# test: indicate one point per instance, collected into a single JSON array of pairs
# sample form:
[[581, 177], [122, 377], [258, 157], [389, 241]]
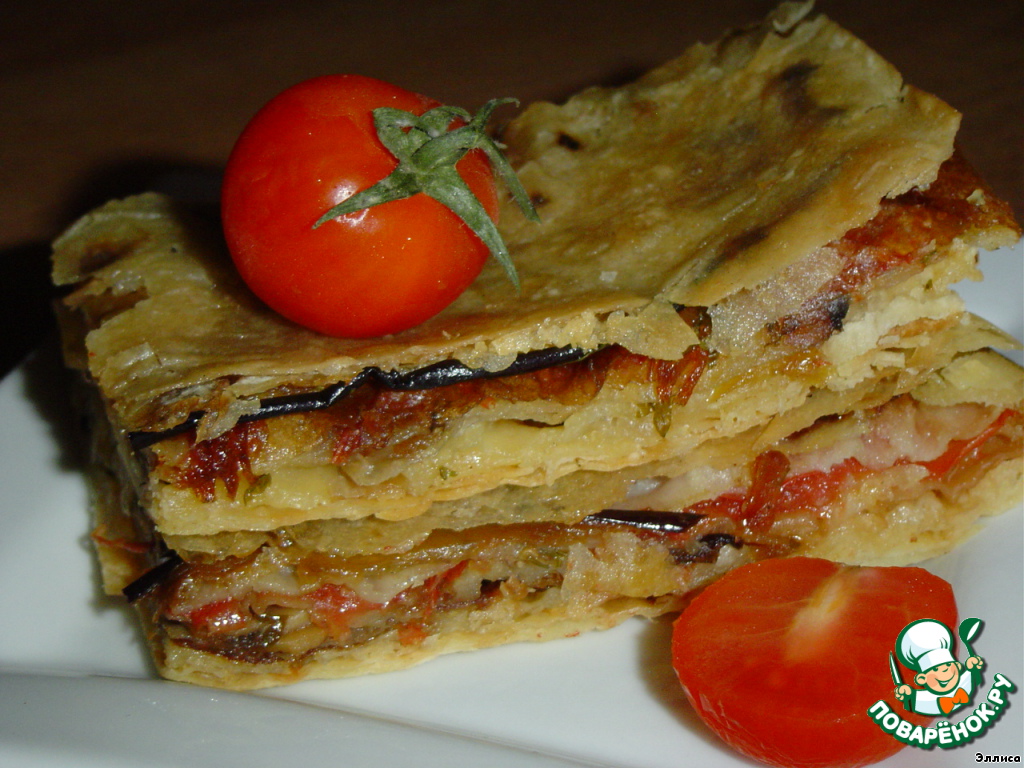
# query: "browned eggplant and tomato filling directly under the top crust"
[[388, 416]]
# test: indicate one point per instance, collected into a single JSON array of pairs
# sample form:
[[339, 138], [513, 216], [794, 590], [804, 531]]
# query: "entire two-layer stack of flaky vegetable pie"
[[743, 273]]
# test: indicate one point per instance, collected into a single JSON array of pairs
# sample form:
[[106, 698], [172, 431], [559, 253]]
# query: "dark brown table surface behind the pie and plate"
[[108, 98]]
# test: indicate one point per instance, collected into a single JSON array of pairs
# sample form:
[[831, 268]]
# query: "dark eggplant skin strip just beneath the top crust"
[[430, 377]]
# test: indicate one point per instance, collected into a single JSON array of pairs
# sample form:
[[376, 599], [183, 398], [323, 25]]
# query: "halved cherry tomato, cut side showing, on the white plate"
[[783, 659]]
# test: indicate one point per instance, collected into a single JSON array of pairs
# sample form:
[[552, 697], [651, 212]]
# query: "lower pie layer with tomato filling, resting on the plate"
[[889, 484]]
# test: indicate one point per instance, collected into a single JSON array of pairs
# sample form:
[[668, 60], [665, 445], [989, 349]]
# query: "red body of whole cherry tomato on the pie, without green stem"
[[368, 274]]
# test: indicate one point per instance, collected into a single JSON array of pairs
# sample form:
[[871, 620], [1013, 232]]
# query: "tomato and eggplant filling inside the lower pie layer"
[[286, 604]]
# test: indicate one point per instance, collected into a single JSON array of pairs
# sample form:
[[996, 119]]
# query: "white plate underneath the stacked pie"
[[76, 687]]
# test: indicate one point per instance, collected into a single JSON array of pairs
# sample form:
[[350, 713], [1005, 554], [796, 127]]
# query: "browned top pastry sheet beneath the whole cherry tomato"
[[701, 180]]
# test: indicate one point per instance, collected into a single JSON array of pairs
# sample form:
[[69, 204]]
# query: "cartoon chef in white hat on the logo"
[[927, 646]]
